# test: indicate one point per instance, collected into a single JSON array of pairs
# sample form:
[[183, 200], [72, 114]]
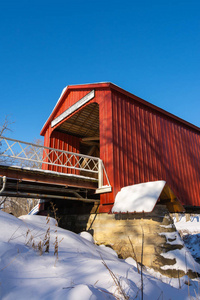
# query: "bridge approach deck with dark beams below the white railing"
[[35, 183]]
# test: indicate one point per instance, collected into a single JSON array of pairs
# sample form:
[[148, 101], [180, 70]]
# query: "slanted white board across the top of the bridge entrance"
[[73, 108]]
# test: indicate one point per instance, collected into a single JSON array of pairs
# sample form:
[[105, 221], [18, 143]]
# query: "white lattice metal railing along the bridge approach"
[[37, 156]]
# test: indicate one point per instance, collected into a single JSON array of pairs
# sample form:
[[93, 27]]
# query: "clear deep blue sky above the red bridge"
[[150, 48]]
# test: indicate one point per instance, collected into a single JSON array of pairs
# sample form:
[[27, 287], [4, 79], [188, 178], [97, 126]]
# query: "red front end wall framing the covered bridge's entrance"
[[51, 137]]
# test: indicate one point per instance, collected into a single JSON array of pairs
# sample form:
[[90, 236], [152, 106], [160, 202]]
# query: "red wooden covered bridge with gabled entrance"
[[137, 141]]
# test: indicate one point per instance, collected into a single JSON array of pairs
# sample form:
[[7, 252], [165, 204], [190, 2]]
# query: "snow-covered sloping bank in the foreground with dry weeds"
[[78, 270]]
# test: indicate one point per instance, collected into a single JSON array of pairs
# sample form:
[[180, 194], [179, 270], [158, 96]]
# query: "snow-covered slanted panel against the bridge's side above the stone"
[[138, 198]]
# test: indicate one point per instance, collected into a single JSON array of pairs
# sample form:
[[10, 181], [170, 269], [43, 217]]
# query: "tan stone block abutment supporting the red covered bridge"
[[141, 236]]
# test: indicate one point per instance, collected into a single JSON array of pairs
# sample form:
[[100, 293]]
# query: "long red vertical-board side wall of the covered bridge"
[[149, 146]]
